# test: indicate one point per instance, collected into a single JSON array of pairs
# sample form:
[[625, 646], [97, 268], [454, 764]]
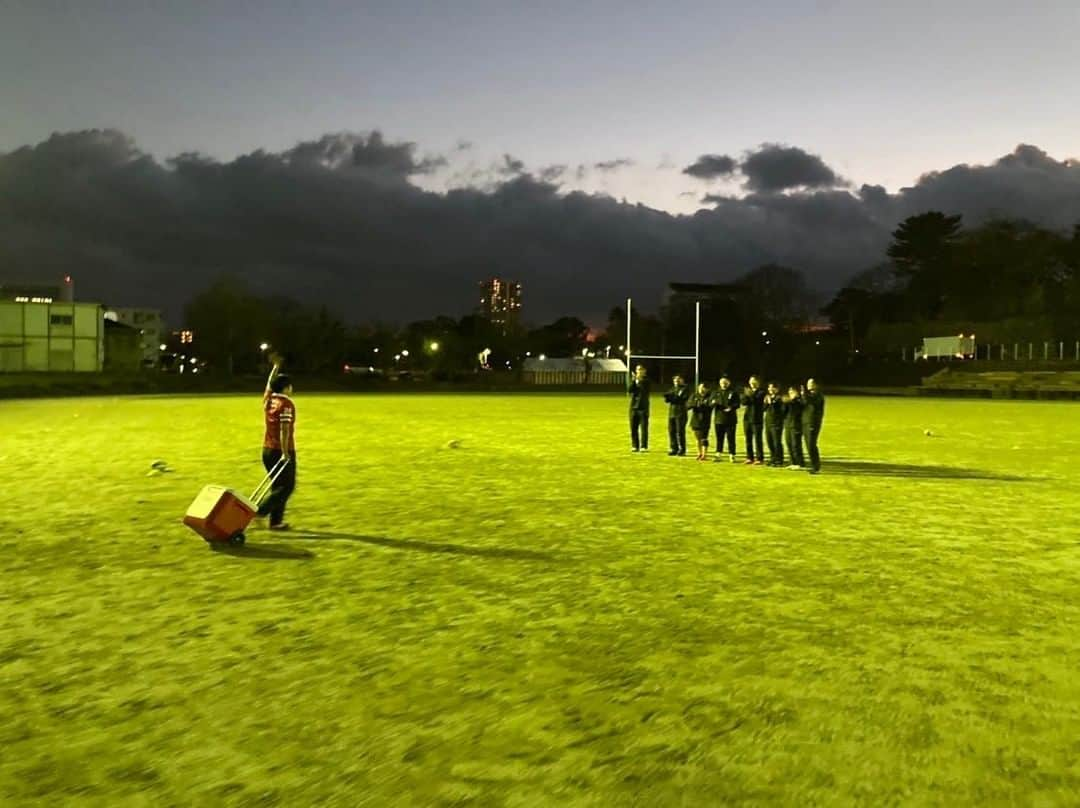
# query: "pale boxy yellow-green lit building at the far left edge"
[[50, 336]]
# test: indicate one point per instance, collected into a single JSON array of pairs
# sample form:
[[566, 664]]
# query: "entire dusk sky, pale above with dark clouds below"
[[384, 158]]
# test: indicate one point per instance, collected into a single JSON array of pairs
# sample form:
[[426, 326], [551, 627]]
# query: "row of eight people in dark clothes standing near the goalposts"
[[781, 421]]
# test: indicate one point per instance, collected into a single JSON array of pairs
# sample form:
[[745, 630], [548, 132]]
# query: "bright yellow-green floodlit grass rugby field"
[[539, 617]]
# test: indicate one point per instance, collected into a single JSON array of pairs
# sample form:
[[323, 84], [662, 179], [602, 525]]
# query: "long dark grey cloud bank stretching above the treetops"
[[340, 220]]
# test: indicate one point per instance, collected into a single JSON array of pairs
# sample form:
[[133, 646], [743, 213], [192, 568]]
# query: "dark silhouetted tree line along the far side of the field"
[[936, 274]]
